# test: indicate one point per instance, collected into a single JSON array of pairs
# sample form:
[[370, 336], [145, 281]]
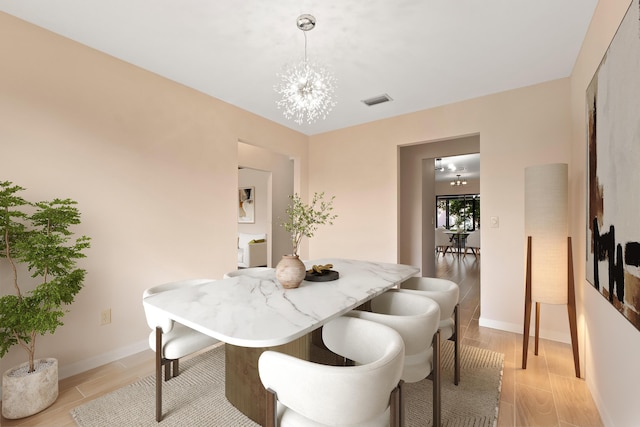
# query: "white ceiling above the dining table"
[[422, 53]]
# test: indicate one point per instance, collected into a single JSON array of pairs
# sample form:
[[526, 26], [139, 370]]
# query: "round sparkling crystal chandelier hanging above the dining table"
[[306, 88]]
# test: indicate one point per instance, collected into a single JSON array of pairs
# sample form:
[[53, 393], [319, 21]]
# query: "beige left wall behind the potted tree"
[[152, 164]]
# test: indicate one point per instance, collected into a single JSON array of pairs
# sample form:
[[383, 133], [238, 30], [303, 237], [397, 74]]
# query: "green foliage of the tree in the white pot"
[[37, 235]]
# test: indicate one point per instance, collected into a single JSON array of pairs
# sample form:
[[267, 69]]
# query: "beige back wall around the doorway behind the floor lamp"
[[518, 128]]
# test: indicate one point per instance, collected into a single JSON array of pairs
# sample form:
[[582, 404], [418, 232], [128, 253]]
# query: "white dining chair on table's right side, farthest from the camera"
[[447, 294]]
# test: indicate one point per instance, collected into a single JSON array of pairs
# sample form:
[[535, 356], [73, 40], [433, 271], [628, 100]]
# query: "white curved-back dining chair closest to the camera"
[[303, 393]]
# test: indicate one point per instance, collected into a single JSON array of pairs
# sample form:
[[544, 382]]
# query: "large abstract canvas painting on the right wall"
[[613, 194]]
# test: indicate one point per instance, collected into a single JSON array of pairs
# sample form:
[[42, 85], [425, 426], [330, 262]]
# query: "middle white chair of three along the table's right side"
[[416, 319]]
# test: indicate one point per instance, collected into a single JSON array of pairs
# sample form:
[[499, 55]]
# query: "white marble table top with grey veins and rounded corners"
[[256, 311]]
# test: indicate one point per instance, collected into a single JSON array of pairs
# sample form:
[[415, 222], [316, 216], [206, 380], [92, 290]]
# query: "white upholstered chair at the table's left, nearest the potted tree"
[[177, 340]]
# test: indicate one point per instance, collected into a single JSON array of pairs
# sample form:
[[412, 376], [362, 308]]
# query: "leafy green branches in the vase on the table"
[[304, 219]]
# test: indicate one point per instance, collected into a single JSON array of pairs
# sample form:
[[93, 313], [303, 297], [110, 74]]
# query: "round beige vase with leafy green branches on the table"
[[303, 220]]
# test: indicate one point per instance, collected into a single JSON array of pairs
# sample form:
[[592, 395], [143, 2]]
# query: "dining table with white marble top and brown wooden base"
[[253, 312]]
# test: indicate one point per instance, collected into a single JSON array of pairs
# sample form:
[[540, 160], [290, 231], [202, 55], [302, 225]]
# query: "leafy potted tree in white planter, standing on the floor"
[[35, 241]]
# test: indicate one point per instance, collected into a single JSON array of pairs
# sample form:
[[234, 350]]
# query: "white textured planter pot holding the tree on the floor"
[[25, 394]]
